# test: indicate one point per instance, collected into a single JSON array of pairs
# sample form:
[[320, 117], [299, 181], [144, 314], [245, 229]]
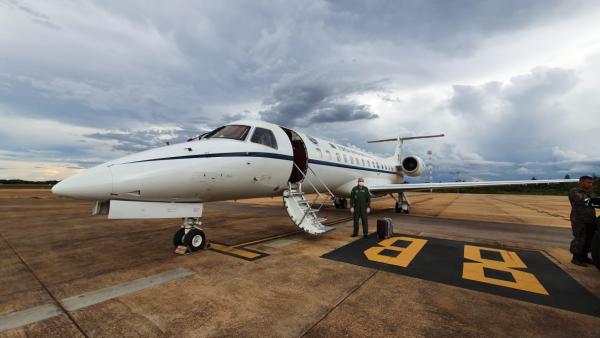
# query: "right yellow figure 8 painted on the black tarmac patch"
[[510, 261]]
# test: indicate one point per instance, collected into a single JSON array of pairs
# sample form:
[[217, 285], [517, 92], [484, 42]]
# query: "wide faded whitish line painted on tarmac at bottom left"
[[38, 313]]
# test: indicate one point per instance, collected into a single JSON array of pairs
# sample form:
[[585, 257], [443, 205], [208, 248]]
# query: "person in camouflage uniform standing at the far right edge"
[[583, 220]]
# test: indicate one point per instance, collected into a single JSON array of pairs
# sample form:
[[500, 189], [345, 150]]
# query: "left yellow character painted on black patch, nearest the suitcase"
[[405, 255]]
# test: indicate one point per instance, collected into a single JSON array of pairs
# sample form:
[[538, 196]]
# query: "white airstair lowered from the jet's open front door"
[[301, 210]]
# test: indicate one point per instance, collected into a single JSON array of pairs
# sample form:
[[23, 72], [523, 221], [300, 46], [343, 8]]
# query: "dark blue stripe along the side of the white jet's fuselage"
[[265, 155]]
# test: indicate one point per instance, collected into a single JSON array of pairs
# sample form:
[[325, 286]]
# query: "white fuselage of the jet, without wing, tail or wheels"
[[244, 159]]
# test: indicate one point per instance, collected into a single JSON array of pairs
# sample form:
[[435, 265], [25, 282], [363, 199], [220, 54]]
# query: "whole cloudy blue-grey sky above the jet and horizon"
[[515, 85]]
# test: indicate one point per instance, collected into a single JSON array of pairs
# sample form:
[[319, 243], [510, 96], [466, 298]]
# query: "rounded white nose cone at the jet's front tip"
[[94, 183]]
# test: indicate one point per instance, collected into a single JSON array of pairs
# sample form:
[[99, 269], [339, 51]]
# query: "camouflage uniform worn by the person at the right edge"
[[583, 221]]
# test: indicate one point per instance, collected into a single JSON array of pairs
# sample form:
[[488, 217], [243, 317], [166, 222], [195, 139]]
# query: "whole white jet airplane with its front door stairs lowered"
[[247, 159]]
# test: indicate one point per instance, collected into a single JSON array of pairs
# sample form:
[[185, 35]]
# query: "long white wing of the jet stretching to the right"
[[389, 188]]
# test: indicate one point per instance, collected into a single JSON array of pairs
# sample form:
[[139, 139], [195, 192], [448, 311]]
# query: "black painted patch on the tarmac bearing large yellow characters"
[[520, 274]]
